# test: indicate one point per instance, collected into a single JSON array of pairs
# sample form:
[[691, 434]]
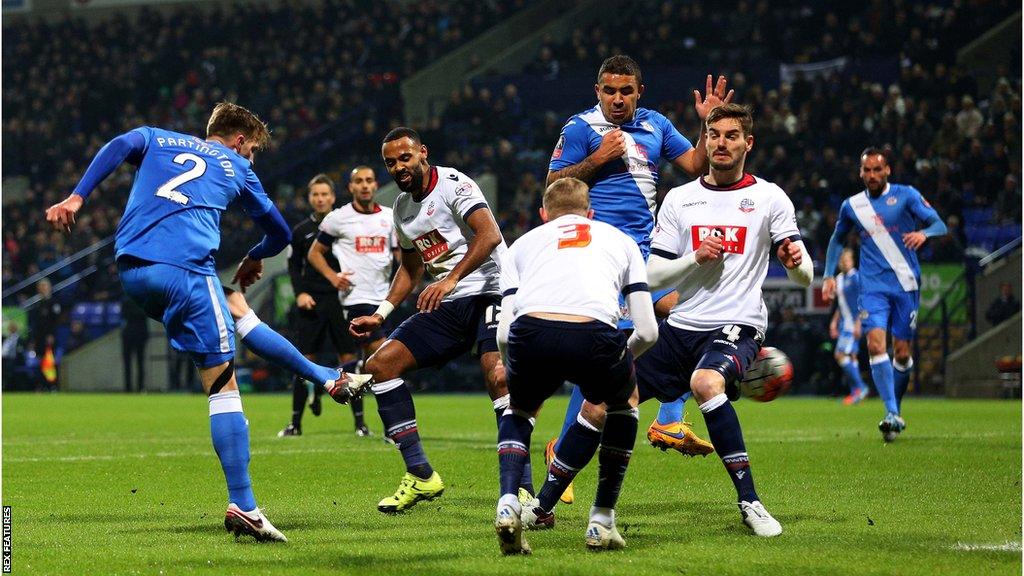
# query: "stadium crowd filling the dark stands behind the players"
[[960, 145]]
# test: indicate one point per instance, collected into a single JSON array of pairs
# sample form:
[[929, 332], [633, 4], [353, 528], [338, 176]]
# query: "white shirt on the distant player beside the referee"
[[363, 244]]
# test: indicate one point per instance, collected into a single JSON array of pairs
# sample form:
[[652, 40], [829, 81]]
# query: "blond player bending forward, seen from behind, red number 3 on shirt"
[[561, 284]]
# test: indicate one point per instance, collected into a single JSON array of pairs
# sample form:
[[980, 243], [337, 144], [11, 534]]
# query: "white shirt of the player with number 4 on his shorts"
[[751, 217]]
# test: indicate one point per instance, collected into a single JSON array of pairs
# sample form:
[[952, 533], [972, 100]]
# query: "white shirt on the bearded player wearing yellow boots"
[[437, 229]]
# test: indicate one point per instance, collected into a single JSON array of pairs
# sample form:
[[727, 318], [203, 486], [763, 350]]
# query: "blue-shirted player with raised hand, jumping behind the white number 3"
[[616, 148]]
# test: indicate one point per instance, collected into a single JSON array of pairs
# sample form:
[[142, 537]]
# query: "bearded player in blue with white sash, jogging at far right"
[[887, 217]]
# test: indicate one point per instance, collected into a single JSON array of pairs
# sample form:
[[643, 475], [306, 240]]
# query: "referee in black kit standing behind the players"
[[318, 310]]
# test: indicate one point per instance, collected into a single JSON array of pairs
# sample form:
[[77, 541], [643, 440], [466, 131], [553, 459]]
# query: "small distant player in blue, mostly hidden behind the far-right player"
[[845, 327]]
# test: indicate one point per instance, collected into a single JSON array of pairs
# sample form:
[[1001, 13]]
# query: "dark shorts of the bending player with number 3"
[[543, 354]]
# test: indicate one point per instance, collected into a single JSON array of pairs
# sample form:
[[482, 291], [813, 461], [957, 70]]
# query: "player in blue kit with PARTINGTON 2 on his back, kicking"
[[165, 248]]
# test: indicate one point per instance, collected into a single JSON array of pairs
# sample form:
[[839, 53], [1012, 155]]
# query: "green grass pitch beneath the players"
[[131, 485]]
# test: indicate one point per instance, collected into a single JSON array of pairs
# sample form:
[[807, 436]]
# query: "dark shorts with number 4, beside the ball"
[[664, 372]]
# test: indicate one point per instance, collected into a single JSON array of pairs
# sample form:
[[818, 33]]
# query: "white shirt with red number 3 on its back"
[[573, 266]]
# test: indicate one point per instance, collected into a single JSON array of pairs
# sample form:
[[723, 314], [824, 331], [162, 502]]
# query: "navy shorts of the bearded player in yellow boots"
[[452, 331]]
